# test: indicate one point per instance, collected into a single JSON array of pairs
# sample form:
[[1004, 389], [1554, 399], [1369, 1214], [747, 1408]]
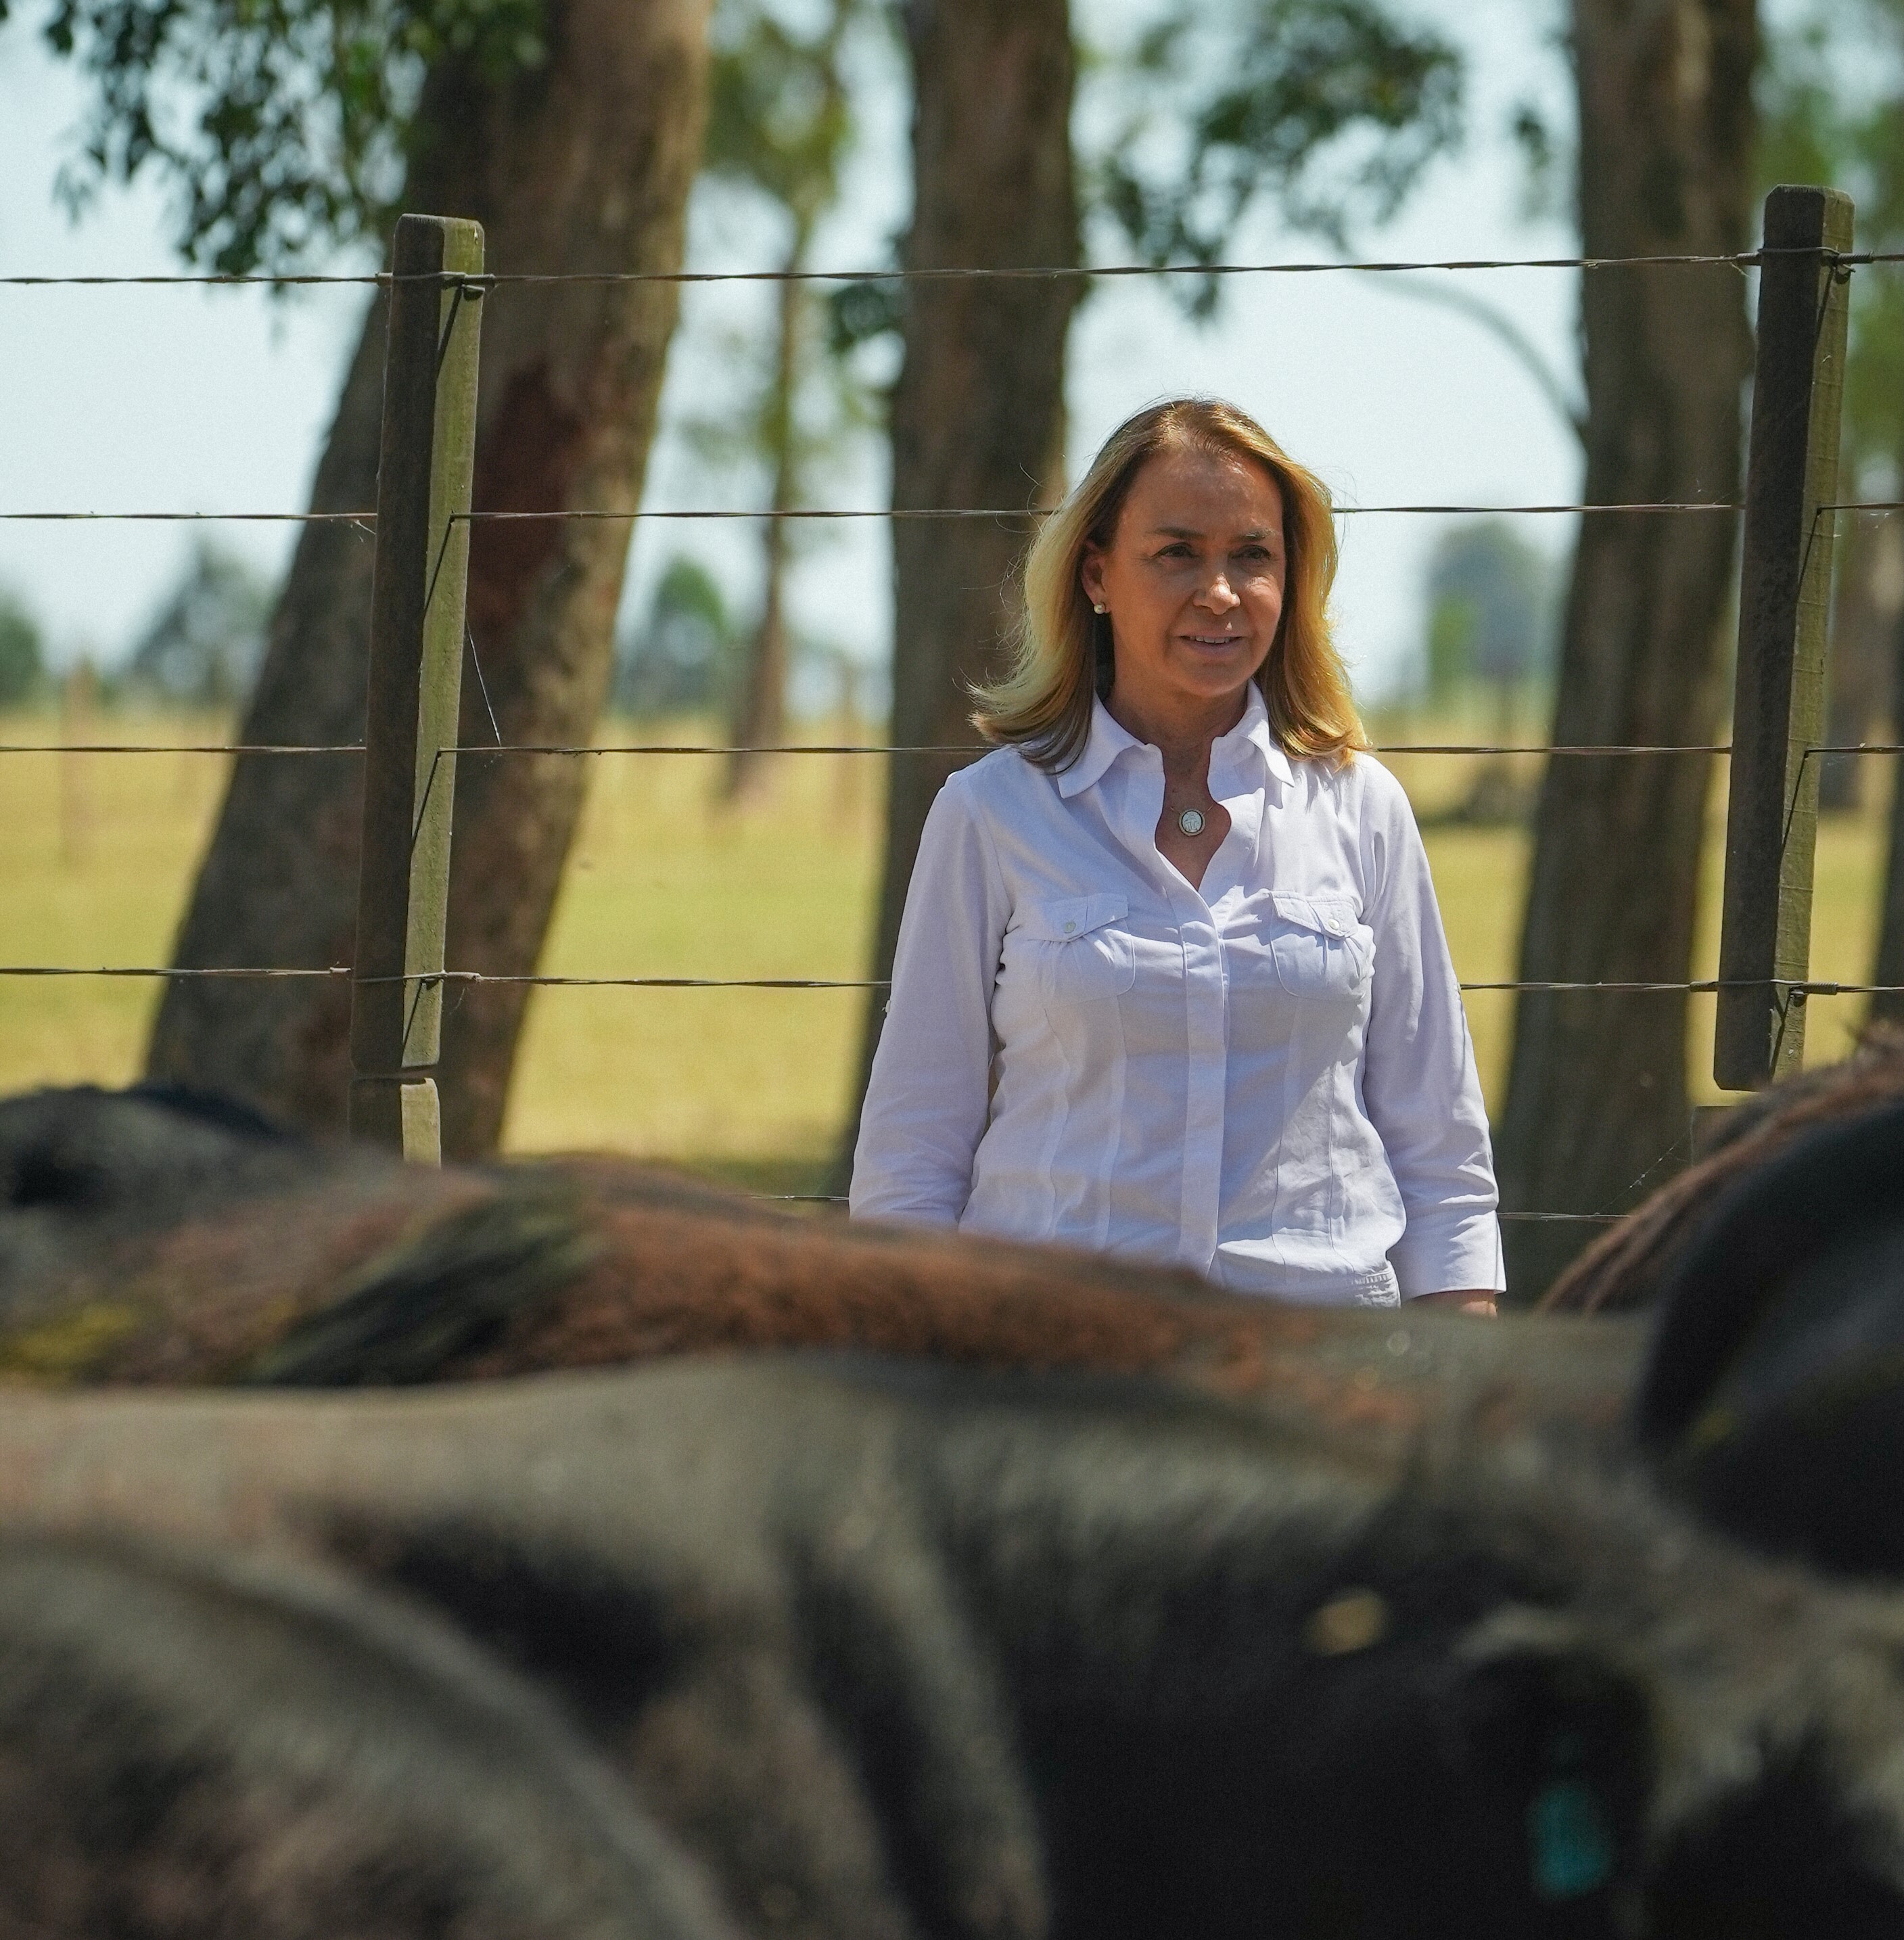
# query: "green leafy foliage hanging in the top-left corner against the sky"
[[280, 127]]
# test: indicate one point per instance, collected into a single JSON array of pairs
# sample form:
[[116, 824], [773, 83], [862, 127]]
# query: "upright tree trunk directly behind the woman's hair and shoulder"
[[978, 416]]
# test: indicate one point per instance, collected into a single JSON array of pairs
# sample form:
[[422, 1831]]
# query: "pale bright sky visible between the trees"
[[218, 401]]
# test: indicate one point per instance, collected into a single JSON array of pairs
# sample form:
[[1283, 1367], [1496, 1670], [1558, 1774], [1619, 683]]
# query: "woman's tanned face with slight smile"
[[1193, 581]]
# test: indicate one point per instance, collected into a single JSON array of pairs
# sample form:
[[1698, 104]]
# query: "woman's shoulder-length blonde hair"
[[1063, 653]]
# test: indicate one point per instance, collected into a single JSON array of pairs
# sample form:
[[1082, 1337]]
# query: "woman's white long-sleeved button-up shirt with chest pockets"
[[1267, 1078]]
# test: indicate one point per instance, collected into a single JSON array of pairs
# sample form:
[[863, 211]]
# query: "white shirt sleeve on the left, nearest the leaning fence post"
[[930, 1093]]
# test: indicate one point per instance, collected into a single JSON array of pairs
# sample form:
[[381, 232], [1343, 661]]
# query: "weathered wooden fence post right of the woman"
[[1785, 600]]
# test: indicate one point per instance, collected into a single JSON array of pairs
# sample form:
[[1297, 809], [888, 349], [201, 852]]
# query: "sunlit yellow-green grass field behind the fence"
[[749, 1085]]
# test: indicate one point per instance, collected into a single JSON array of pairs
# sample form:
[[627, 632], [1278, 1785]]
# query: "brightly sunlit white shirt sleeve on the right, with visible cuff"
[[1420, 1083]]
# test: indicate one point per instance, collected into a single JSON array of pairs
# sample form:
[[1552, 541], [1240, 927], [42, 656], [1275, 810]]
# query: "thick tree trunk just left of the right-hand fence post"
[[1599, 1099]]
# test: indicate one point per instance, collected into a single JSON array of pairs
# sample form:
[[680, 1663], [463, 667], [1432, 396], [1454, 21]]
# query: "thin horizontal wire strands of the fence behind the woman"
[[367, 521]]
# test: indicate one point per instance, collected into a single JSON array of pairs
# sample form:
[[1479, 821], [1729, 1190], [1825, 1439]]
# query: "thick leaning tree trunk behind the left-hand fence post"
[[583, 164]]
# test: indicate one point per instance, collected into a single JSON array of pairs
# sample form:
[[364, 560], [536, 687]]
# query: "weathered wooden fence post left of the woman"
[[426, 469]]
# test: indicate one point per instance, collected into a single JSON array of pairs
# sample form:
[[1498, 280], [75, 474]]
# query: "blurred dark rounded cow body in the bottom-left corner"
[[206, 1745]]
